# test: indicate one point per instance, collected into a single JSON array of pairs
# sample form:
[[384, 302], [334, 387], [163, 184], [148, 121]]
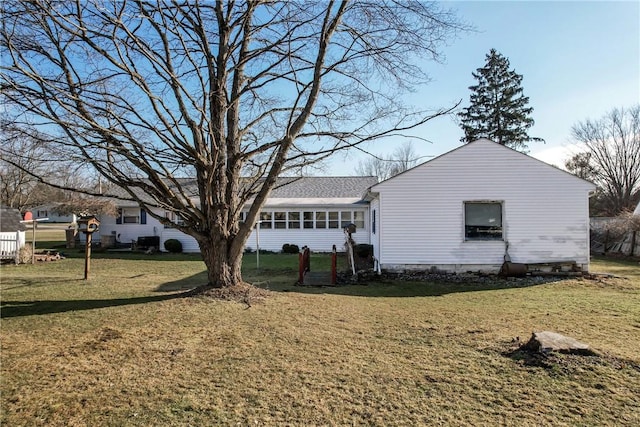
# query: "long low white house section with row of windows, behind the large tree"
[[309, 211]]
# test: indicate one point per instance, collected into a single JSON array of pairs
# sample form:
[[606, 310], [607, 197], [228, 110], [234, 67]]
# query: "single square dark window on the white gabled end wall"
[[483, 221]]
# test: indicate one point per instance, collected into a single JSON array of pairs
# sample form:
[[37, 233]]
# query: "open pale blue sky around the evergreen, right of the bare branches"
[[579, 59]]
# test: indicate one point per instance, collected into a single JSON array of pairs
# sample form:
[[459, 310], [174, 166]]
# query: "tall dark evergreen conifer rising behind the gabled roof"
[[498, 109]]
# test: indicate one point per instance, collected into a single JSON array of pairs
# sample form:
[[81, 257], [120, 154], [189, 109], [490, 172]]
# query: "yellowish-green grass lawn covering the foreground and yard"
[[122, 349]]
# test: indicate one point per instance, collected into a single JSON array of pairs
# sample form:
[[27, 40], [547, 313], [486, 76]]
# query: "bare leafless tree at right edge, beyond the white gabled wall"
[[610, 157]]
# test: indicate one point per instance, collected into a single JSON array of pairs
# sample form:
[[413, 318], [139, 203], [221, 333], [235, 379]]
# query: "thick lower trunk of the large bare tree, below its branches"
[[223, 265]]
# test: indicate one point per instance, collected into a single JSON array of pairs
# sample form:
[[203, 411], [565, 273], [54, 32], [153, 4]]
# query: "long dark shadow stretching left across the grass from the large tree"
[[39, 307]]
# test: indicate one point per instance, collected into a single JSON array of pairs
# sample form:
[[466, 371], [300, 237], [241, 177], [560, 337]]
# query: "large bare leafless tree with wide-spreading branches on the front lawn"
[[233, 94]]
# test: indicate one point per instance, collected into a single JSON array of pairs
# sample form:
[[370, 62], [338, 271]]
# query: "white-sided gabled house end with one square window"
[[459, 211]]
